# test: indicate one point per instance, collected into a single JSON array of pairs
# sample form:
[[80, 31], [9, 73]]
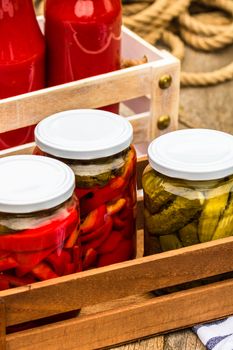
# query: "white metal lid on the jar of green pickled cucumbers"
[[193, 154]]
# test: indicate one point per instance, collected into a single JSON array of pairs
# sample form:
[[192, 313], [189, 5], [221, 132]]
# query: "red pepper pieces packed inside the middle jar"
[[108, 217]]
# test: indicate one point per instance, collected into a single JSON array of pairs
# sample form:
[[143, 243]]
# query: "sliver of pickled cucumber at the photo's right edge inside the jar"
[[225, 225]]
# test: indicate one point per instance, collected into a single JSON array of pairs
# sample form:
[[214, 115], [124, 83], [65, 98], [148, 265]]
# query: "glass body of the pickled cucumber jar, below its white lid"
[[179, 213]]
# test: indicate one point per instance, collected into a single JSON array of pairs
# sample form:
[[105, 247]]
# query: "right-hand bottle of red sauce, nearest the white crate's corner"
[[83, 39]]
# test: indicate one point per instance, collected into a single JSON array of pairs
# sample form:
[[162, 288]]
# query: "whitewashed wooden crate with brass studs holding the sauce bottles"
[[138, 87]]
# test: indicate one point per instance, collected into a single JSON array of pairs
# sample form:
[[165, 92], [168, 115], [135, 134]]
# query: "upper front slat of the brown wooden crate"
[[117, 281]]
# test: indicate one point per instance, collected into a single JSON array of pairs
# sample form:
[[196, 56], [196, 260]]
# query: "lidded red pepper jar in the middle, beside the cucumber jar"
[[97, 147]]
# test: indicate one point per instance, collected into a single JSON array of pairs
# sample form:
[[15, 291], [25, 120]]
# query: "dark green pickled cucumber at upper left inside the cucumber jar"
[[155, 195]]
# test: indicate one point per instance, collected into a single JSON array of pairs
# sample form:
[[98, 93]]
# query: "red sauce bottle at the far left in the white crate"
[[22, 56]]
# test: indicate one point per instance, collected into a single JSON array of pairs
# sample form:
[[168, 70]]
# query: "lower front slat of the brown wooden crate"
[[161, 314]]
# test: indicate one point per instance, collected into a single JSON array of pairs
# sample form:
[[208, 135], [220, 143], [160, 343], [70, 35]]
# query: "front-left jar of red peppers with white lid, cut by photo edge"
[[39, 221]]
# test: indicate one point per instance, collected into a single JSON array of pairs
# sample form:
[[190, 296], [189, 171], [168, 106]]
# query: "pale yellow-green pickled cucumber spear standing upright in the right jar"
[[213, 208]]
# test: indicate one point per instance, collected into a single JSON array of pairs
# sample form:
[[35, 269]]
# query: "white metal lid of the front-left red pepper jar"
[[32, 183]]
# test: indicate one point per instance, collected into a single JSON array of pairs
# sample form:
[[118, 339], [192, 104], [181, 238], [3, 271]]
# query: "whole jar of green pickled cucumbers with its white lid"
[[188, 187]]
